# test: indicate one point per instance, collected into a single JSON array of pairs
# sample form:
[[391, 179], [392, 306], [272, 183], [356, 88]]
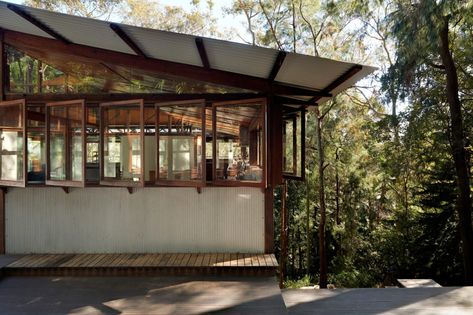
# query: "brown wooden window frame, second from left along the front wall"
[[68, 172]]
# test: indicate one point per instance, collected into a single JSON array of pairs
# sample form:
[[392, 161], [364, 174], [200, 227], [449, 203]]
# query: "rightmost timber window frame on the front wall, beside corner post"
[[238, 183]]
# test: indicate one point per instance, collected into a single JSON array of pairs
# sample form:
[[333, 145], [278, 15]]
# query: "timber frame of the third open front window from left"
[[130, 104]]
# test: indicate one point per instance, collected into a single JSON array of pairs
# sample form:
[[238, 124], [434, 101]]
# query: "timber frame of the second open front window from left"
[[67, 182]]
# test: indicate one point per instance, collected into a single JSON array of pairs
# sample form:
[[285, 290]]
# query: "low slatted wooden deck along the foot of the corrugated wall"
[[139, 264]]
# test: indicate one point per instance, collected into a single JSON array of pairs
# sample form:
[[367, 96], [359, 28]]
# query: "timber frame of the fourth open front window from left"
[[199, 103]]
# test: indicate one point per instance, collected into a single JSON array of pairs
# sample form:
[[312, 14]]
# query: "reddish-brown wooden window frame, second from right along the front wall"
[[183, 183]]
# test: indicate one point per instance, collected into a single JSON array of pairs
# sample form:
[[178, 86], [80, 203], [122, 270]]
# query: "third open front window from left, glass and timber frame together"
[[123, 137]]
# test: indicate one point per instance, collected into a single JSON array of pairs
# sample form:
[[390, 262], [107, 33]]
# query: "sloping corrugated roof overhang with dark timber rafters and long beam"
[[296, 77]]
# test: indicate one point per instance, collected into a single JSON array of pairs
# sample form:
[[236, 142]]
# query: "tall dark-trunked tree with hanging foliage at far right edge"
[[423, 32]]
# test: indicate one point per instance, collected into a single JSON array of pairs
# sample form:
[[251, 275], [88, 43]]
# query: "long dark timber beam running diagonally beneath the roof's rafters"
[[17, 39]]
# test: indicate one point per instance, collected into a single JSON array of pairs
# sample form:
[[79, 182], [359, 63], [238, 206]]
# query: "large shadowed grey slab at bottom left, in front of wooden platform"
[[140, 295]]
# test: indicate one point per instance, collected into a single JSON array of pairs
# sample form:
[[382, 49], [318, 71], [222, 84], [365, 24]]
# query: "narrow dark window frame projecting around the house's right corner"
[[292, 115]]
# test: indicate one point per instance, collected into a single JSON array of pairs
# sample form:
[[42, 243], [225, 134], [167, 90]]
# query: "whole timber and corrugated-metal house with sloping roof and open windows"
[[120, 139]]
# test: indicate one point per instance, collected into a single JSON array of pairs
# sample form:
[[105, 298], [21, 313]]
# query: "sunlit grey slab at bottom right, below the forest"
[[416, 301]]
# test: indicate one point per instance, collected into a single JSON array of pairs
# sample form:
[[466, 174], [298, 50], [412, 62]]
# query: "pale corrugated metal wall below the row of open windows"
[[110, 220]]
